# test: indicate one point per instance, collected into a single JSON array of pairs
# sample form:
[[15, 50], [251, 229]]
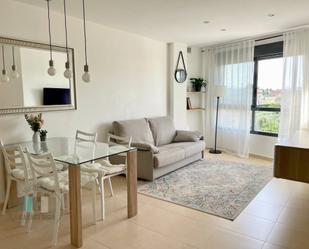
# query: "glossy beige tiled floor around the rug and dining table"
[[277, 218]]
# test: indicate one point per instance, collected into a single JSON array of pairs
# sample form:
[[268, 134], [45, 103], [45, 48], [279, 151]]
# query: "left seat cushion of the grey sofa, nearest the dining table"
[[168, 155]]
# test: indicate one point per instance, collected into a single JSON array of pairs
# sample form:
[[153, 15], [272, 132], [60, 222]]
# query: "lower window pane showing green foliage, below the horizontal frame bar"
[[267, 122]]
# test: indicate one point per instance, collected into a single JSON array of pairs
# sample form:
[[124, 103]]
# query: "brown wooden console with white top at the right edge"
[[292, 158]]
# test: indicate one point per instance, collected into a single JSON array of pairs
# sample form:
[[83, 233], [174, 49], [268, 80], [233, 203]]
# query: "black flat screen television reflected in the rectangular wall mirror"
[[56, 96]]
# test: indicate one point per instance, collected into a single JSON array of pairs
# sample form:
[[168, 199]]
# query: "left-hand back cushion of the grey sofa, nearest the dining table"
[[138, 128]]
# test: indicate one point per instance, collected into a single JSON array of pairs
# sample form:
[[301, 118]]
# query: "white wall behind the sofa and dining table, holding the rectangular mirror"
[[129, 74]]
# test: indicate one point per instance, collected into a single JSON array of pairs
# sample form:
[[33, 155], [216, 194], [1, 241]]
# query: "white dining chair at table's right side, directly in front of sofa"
[[106, 170]]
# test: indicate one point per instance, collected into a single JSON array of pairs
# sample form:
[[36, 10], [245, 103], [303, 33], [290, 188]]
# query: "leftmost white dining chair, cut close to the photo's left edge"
[[16, 170]]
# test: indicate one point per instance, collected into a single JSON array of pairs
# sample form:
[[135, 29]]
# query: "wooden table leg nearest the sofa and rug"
[[132, 183]]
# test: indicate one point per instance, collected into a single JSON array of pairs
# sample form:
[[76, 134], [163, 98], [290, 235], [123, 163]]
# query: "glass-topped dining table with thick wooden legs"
[[75, 152]]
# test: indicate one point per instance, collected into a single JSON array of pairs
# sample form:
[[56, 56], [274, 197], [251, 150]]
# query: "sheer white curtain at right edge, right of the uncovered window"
[[294, 115]]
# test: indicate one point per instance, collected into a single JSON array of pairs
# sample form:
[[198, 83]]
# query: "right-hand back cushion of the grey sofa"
[[163, 130]]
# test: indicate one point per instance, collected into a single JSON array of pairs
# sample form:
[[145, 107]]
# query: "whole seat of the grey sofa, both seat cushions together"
[[174, 152]]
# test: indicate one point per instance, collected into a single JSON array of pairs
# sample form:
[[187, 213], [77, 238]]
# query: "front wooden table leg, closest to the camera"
[[75, 206]]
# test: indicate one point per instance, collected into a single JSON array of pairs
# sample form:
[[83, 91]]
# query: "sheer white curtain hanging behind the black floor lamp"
[[232, 66]]
